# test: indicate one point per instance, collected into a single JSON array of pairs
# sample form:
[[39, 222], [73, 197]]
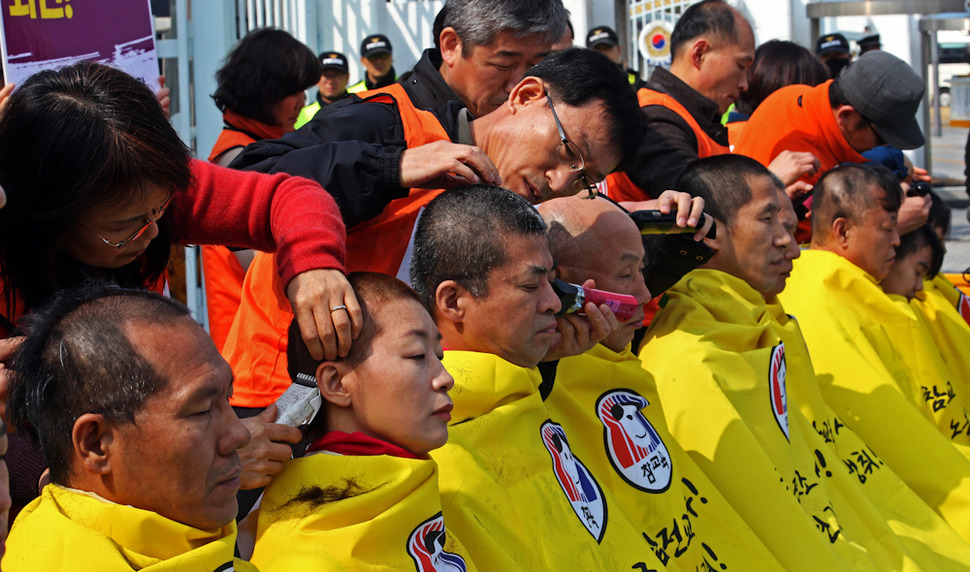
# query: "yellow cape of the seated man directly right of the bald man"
[[721, 374]]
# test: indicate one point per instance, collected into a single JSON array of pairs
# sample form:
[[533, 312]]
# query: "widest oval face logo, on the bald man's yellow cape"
[[632, 444]]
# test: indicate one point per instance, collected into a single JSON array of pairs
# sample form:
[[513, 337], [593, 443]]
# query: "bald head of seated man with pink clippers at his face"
[[597, 240]]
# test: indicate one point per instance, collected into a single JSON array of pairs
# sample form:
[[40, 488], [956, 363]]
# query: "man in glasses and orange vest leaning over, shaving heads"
[[565, 126]]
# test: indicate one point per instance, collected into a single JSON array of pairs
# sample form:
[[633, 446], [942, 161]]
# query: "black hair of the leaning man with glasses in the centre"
[[576, 76]]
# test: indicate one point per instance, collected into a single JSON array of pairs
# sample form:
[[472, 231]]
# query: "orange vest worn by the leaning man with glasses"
[[256, 345]]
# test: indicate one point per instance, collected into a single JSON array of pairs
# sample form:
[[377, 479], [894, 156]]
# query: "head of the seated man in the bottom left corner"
[[128, 397]]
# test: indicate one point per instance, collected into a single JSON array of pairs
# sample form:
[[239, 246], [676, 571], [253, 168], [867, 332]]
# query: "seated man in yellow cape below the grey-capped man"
[[875, 371]]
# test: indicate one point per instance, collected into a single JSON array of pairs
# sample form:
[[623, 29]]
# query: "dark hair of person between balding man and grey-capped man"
[[779, 63]]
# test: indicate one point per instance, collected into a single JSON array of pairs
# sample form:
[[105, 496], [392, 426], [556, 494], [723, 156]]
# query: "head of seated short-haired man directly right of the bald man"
[[753, 242]]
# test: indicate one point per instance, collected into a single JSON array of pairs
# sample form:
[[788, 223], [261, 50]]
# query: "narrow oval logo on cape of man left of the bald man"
[[582, 490]]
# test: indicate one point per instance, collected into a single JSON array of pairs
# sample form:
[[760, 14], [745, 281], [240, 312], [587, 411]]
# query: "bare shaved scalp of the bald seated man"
[[580, 229]]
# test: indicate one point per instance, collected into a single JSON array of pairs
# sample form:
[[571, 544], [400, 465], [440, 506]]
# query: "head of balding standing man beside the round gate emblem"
[[712, 46]]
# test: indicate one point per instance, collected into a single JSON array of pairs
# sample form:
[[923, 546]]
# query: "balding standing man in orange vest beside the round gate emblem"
[[712, 46]]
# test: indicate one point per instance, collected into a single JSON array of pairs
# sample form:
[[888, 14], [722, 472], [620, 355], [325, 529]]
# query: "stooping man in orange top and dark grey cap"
[[872, 103]]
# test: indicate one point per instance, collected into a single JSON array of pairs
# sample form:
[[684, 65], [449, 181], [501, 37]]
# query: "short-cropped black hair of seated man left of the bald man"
[[460, 236]]
